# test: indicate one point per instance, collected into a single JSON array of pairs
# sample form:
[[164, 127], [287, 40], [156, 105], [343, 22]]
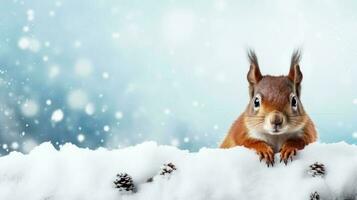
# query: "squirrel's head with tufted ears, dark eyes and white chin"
[[275, 107]]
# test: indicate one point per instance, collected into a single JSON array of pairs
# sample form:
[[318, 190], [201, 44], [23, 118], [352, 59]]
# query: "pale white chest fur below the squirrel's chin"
[[275, 141]]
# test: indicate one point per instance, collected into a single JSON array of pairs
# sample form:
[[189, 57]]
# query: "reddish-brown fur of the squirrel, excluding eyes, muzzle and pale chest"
[[275, 91]]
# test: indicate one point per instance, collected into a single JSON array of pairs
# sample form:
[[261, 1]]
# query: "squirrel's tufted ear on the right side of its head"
[[295, 74]]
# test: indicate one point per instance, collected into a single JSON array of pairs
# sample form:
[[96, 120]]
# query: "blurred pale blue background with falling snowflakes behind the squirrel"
[[116, 73]]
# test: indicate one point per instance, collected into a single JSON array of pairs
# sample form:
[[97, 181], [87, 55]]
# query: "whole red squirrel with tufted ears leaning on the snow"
[[274, 120]]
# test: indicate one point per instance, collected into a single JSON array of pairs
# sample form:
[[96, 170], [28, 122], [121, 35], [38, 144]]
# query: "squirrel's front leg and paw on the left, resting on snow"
[[264, 151]]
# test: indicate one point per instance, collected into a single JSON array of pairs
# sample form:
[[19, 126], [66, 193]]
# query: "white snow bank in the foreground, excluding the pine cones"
[[75, 174]]
